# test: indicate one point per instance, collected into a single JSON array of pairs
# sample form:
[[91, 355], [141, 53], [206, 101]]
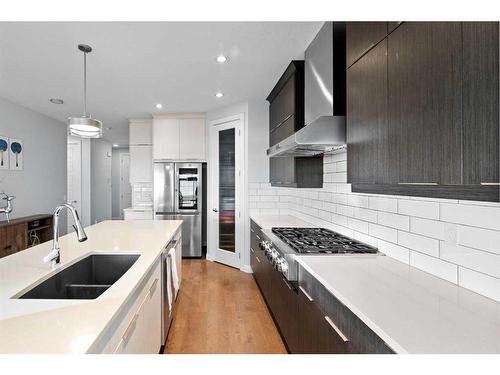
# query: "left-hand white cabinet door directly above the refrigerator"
[[165, 138]]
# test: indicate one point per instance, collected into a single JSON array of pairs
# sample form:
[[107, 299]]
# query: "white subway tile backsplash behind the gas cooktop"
[[453, 239]]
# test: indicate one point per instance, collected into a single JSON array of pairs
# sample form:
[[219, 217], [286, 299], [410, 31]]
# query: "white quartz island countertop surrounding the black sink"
[[72, 326]]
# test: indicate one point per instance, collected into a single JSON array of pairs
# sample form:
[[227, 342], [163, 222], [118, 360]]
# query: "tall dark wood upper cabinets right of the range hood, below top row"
[[435, 133]]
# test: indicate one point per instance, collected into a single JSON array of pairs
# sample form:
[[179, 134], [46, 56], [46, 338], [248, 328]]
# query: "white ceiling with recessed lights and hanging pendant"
[[135, 65]]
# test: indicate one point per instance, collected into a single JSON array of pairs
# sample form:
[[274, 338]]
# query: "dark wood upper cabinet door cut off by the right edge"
[[480, 102]]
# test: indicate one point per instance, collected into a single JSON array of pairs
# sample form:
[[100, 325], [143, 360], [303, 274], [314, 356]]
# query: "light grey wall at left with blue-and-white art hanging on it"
[[41, 185]]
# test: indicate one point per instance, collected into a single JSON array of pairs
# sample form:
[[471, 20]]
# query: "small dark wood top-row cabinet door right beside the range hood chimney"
[[361, 36]]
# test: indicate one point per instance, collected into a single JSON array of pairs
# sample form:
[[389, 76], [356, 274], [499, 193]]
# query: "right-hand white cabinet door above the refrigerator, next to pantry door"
[[192, 138]]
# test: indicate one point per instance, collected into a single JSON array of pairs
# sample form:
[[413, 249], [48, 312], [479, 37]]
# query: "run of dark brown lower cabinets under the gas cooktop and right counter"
[[310, 319]]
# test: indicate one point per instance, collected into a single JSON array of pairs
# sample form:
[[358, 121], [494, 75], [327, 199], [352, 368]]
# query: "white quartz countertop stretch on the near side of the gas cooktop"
[[412, 311]]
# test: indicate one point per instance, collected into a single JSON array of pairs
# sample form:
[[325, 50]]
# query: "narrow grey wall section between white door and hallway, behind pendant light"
[[100, 180]]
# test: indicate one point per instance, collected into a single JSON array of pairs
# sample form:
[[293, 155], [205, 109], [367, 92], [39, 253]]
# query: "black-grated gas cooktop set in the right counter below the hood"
[[321, 241]]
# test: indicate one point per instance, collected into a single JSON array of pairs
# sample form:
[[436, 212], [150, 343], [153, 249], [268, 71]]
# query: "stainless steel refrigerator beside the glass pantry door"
[[178, 193]]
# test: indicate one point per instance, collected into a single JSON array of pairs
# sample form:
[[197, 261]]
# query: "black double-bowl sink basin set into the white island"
[[86, 279]]
